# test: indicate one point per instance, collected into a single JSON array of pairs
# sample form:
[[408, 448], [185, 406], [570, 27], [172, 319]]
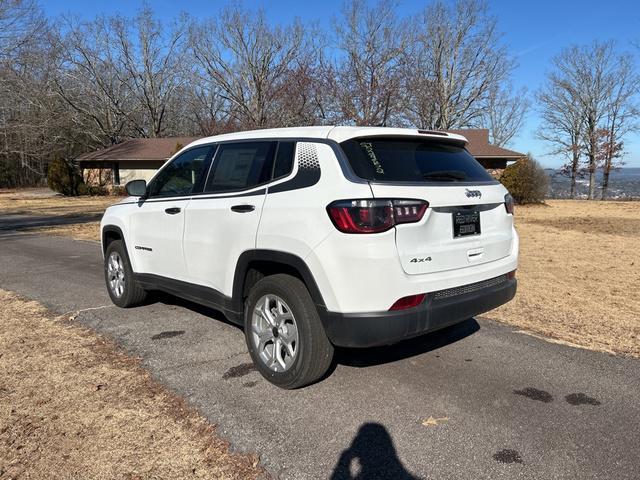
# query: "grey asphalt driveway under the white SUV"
[[479, 400]]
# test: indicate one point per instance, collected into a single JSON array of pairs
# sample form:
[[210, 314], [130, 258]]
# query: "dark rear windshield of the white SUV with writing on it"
[[409, 160]]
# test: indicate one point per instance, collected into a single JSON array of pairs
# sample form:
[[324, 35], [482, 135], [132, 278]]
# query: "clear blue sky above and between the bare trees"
[[534, 31]]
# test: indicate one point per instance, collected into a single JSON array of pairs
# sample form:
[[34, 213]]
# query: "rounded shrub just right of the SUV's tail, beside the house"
[[526, 180]]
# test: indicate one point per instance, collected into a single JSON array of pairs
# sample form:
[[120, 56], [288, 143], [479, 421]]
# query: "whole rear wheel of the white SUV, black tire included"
[[289, 304]]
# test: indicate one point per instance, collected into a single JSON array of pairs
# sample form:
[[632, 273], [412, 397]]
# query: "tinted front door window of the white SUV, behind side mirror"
[[180, 176]]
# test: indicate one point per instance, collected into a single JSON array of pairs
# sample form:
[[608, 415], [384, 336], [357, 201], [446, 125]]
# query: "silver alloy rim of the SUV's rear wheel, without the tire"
[[275, 333]]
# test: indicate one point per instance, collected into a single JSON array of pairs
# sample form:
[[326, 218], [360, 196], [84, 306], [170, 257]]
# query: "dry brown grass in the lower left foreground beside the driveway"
[[73, 406]]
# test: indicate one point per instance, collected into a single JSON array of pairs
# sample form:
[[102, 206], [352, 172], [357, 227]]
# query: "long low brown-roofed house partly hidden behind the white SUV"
[[139, 158]]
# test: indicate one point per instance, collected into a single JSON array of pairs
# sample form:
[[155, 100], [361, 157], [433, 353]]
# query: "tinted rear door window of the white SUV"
[[238, 166]]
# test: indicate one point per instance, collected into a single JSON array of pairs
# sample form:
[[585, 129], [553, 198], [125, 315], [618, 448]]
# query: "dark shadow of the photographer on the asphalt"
[[371, 455]]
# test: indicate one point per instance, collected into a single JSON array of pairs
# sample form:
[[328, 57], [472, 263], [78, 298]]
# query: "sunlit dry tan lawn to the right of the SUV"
[[579, 274]]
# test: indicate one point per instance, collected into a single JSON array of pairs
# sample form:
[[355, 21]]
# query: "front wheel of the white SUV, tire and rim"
[[124, 291]]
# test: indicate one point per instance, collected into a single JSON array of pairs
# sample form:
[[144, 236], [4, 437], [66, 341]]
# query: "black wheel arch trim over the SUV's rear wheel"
[[253, 265]]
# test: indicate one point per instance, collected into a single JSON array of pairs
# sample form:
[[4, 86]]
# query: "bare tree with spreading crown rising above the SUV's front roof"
[[249, 64]]
